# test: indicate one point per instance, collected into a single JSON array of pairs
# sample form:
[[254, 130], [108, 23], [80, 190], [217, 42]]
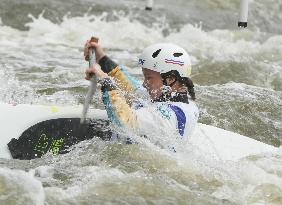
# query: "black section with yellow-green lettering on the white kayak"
[[56, 136]]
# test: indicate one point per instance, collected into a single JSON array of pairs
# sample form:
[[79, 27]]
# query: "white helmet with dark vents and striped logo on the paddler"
[[165, 57]]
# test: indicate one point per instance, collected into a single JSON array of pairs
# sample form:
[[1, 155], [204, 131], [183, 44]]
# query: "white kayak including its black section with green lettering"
[[30, 131]]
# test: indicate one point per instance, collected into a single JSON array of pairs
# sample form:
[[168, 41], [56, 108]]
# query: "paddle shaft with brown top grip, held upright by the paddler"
[[93, 82]]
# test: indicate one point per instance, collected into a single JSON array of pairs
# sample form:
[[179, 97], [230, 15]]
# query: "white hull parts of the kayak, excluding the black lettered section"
[[222, 144]]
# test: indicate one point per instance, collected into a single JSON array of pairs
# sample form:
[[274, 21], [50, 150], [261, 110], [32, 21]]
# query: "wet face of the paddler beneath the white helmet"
[[153, 83]]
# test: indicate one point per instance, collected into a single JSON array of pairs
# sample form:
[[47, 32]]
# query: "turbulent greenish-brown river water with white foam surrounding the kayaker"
[[238, 77]]
